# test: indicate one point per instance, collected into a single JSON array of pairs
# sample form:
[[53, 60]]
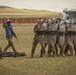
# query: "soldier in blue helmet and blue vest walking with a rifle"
[[9, 33]]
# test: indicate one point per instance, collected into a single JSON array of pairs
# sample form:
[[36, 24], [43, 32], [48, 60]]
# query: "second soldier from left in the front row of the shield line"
[[51, 35]]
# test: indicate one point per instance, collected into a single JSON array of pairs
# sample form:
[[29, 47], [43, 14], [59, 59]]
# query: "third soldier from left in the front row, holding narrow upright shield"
[[61, 37]]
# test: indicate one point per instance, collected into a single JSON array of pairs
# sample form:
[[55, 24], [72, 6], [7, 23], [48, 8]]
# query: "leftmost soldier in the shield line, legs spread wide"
[[39, 37]]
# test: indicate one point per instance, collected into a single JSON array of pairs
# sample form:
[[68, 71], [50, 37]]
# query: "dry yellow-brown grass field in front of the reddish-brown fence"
[[32, 66]]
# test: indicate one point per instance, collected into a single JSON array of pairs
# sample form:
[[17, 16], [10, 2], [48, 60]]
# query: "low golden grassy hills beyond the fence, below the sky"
[[9, 11]]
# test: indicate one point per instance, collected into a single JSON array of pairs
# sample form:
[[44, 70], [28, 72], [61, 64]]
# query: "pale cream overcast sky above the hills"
[[51, 5]]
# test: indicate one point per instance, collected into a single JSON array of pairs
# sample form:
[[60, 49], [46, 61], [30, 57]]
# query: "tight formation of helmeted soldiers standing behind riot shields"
[[55, 33]]
